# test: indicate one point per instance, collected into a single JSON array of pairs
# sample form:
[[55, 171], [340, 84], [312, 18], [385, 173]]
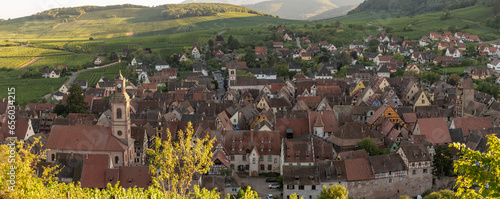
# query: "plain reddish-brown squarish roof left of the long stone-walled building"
[[358, 169]]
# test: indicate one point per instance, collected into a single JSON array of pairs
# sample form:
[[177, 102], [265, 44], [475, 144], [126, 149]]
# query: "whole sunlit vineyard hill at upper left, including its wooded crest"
[[131, 20]]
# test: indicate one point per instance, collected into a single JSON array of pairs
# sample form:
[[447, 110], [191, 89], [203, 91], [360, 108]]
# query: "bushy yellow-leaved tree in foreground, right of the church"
[[179, 160]]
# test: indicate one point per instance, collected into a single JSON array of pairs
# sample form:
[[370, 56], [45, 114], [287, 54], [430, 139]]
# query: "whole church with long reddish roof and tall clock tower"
[[115, 142]]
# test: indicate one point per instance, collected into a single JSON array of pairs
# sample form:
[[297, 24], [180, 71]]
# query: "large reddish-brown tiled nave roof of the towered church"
[[83, 138]]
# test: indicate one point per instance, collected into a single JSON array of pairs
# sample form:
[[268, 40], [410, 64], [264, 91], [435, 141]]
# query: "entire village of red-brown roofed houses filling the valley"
[[298, 109]]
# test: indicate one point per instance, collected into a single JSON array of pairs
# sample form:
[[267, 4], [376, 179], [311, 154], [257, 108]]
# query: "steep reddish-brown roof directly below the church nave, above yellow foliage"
[[94, 170]]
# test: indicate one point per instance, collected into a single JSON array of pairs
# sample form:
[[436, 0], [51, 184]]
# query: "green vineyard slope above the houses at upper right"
[[473, 16]]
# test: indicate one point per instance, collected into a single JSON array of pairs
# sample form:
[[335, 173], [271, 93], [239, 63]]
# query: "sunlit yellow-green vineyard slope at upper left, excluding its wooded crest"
[[125, 22]]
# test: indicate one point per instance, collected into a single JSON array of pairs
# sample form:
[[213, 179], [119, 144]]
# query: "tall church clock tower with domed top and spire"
[[120, 108]]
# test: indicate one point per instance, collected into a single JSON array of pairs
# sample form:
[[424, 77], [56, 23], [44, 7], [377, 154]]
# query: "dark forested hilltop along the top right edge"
[[414, 7]]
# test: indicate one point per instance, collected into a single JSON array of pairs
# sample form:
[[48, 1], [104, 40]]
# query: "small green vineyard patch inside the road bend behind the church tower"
[[93, 76]]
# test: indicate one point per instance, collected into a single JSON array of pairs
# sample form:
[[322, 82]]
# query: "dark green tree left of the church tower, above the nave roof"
[[76, 100]]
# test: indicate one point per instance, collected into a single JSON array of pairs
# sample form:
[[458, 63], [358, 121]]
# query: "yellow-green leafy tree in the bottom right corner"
[[478, 169]]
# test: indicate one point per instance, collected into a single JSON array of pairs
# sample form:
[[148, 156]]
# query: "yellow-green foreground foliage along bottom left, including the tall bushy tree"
[[29, 185]]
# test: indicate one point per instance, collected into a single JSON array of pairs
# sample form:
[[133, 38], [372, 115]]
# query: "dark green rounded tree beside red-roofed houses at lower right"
[[442, 162]]
